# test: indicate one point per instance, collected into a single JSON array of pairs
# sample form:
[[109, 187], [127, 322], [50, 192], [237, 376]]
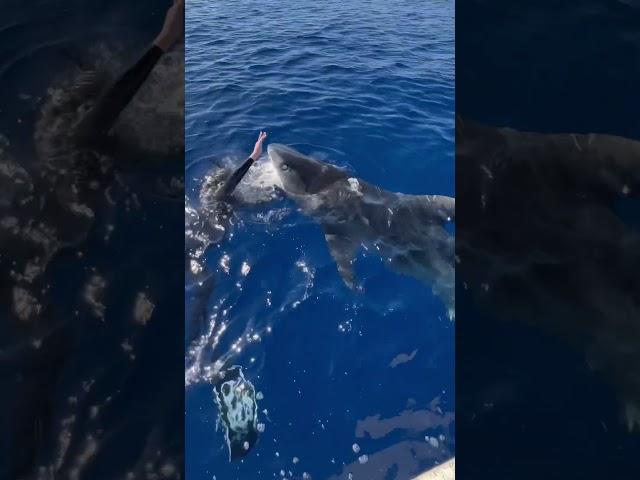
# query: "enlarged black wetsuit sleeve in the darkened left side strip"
[[106, 111]]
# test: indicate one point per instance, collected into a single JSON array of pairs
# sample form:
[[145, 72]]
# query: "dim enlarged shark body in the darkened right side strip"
[[550, 239]]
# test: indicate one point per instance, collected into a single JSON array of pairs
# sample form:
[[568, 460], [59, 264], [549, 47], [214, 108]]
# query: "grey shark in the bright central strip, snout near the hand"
[[407, 231]]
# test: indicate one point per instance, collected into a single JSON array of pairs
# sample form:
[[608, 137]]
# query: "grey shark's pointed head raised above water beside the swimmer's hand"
[[300, 174]]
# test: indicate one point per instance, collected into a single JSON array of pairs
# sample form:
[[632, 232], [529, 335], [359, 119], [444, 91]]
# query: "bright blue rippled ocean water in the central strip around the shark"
[[350, 385]]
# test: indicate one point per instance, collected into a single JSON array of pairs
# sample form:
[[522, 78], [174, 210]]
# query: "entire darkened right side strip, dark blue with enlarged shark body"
[[548, 239]]
